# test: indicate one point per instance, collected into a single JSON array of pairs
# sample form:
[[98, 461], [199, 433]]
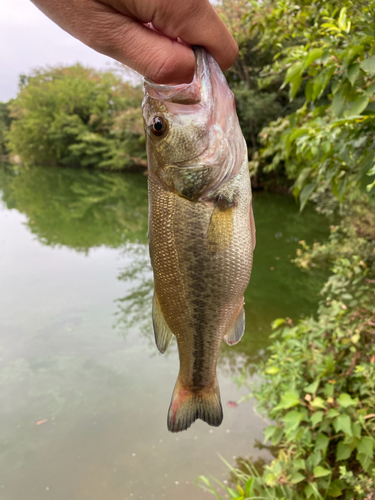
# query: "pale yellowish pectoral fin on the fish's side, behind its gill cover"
[[220, 231]]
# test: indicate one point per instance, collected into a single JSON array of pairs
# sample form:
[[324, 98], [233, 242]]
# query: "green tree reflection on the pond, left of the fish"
[[79, 209]]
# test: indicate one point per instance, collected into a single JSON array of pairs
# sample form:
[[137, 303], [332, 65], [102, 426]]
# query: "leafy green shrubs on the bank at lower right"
[[319, 380]]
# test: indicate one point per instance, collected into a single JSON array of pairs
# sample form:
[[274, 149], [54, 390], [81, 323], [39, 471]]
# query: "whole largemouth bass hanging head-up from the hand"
[[201, 231]]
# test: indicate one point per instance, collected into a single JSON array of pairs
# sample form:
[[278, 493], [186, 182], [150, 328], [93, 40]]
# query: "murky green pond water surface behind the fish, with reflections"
[[77, 348]]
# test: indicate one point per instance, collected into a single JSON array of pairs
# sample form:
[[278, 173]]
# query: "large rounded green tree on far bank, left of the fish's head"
[[76, 116]]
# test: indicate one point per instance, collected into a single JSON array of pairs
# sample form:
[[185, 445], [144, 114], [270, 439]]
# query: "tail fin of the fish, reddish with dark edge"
[[187, 405]]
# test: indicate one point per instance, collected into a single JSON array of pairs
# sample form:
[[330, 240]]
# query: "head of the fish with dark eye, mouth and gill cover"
[[194, 141]]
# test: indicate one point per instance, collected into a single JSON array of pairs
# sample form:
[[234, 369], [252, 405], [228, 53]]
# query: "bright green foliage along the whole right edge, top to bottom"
[[318, 384]]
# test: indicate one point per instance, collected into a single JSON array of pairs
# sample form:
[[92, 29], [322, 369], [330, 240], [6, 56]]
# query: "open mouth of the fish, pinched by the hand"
[[185, 93]]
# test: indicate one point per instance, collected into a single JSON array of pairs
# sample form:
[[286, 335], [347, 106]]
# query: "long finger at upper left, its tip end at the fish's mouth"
[[123, 38]]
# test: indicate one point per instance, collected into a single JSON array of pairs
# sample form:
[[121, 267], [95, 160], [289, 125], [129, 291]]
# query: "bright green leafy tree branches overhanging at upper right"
[[330, 138]]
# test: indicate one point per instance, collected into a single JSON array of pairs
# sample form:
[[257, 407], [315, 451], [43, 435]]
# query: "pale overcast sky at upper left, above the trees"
[[28, 39]]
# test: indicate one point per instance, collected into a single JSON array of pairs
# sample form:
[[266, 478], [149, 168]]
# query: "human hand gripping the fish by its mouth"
[[117, 29]]
